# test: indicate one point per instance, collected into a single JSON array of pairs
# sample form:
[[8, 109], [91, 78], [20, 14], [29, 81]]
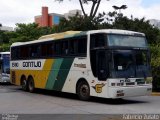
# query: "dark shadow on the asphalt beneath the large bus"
[[74, 96]]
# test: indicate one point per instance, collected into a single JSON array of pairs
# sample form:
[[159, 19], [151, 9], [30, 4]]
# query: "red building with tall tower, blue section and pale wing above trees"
[[50, 19]]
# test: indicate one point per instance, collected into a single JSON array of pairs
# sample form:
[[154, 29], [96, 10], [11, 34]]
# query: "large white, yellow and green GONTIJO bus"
[[105, 63]]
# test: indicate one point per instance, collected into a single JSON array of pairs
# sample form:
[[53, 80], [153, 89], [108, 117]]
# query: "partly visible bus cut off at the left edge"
[[4, 67]]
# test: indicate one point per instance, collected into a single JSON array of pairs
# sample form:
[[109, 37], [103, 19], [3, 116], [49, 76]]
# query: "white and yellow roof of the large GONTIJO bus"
[[69, 34]]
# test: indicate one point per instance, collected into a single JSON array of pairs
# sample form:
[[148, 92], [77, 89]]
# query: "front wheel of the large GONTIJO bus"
[[83, 90]]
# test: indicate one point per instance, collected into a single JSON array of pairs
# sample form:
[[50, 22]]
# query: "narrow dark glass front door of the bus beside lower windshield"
[[102, 65]]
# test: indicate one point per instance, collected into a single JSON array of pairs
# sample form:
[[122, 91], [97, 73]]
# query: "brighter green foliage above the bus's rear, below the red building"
[[23, 33]]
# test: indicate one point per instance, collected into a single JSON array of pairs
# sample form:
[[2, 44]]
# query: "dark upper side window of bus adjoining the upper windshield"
[[97, 40]]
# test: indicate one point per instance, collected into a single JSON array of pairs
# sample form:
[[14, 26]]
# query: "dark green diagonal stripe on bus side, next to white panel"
[[63, 73]]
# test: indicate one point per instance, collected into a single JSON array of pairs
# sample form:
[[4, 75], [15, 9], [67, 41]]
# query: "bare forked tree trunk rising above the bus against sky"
[[94, 8]]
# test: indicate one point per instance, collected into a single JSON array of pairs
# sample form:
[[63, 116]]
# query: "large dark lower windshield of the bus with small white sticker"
[[131, 63]]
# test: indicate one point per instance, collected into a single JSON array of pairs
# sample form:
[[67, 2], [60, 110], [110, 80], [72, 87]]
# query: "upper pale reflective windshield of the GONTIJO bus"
[[126, 40]]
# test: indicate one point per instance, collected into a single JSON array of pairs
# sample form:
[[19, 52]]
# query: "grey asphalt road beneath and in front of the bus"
[[15, 101]]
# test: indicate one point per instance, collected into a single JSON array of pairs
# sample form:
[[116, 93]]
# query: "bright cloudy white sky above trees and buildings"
[[23, 11]]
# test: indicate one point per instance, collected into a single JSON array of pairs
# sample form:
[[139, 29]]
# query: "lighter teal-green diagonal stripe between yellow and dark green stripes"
[[53, 73]]
